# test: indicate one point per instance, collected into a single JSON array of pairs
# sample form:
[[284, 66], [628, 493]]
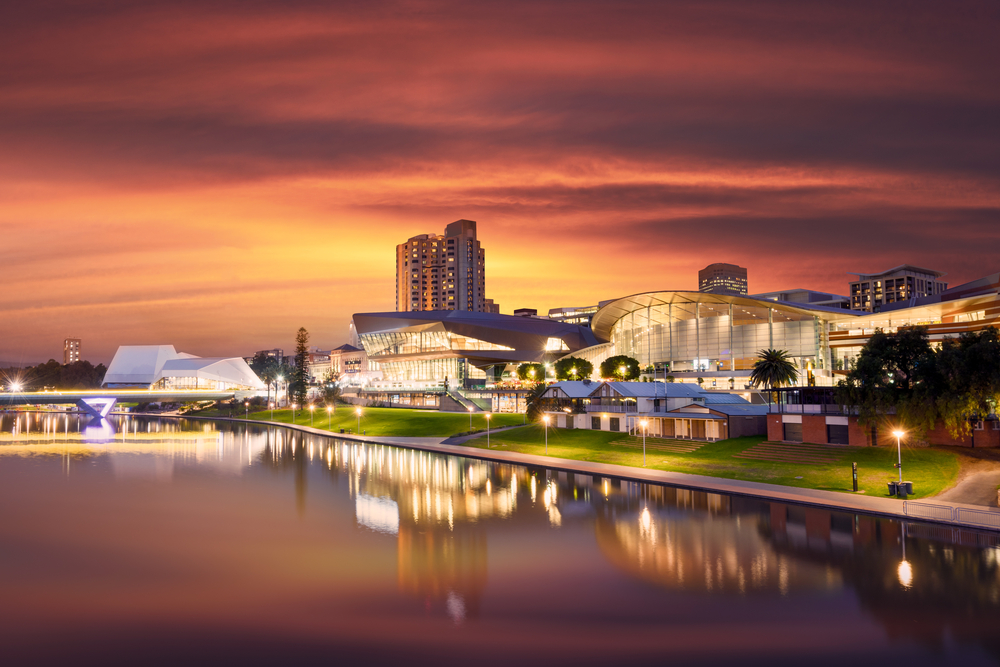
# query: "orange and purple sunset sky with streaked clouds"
[[216, 174]]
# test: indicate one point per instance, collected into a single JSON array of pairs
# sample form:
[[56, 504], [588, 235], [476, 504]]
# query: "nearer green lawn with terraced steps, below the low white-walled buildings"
[[930, 470]]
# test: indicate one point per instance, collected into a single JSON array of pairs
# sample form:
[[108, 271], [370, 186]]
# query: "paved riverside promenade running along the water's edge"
[[938, 511]]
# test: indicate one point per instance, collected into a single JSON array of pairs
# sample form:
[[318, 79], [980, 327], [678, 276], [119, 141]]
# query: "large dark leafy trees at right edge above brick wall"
[[902, 373]]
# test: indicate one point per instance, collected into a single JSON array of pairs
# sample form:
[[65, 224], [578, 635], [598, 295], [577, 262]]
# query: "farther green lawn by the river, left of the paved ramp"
[[386, 421]]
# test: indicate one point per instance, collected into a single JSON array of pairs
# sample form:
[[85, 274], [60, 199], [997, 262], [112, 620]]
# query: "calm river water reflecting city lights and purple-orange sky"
[[145, 541]]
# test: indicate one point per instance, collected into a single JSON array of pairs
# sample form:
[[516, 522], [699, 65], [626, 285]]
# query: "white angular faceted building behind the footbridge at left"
[[163, 367]]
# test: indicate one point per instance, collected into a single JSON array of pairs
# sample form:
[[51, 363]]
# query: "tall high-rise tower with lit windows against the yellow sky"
[[442, 272]]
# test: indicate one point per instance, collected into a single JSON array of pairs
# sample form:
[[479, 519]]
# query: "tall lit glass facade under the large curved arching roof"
[[694, 336]]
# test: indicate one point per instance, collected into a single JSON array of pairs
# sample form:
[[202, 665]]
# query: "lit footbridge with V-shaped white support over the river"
[[99, 402]]
